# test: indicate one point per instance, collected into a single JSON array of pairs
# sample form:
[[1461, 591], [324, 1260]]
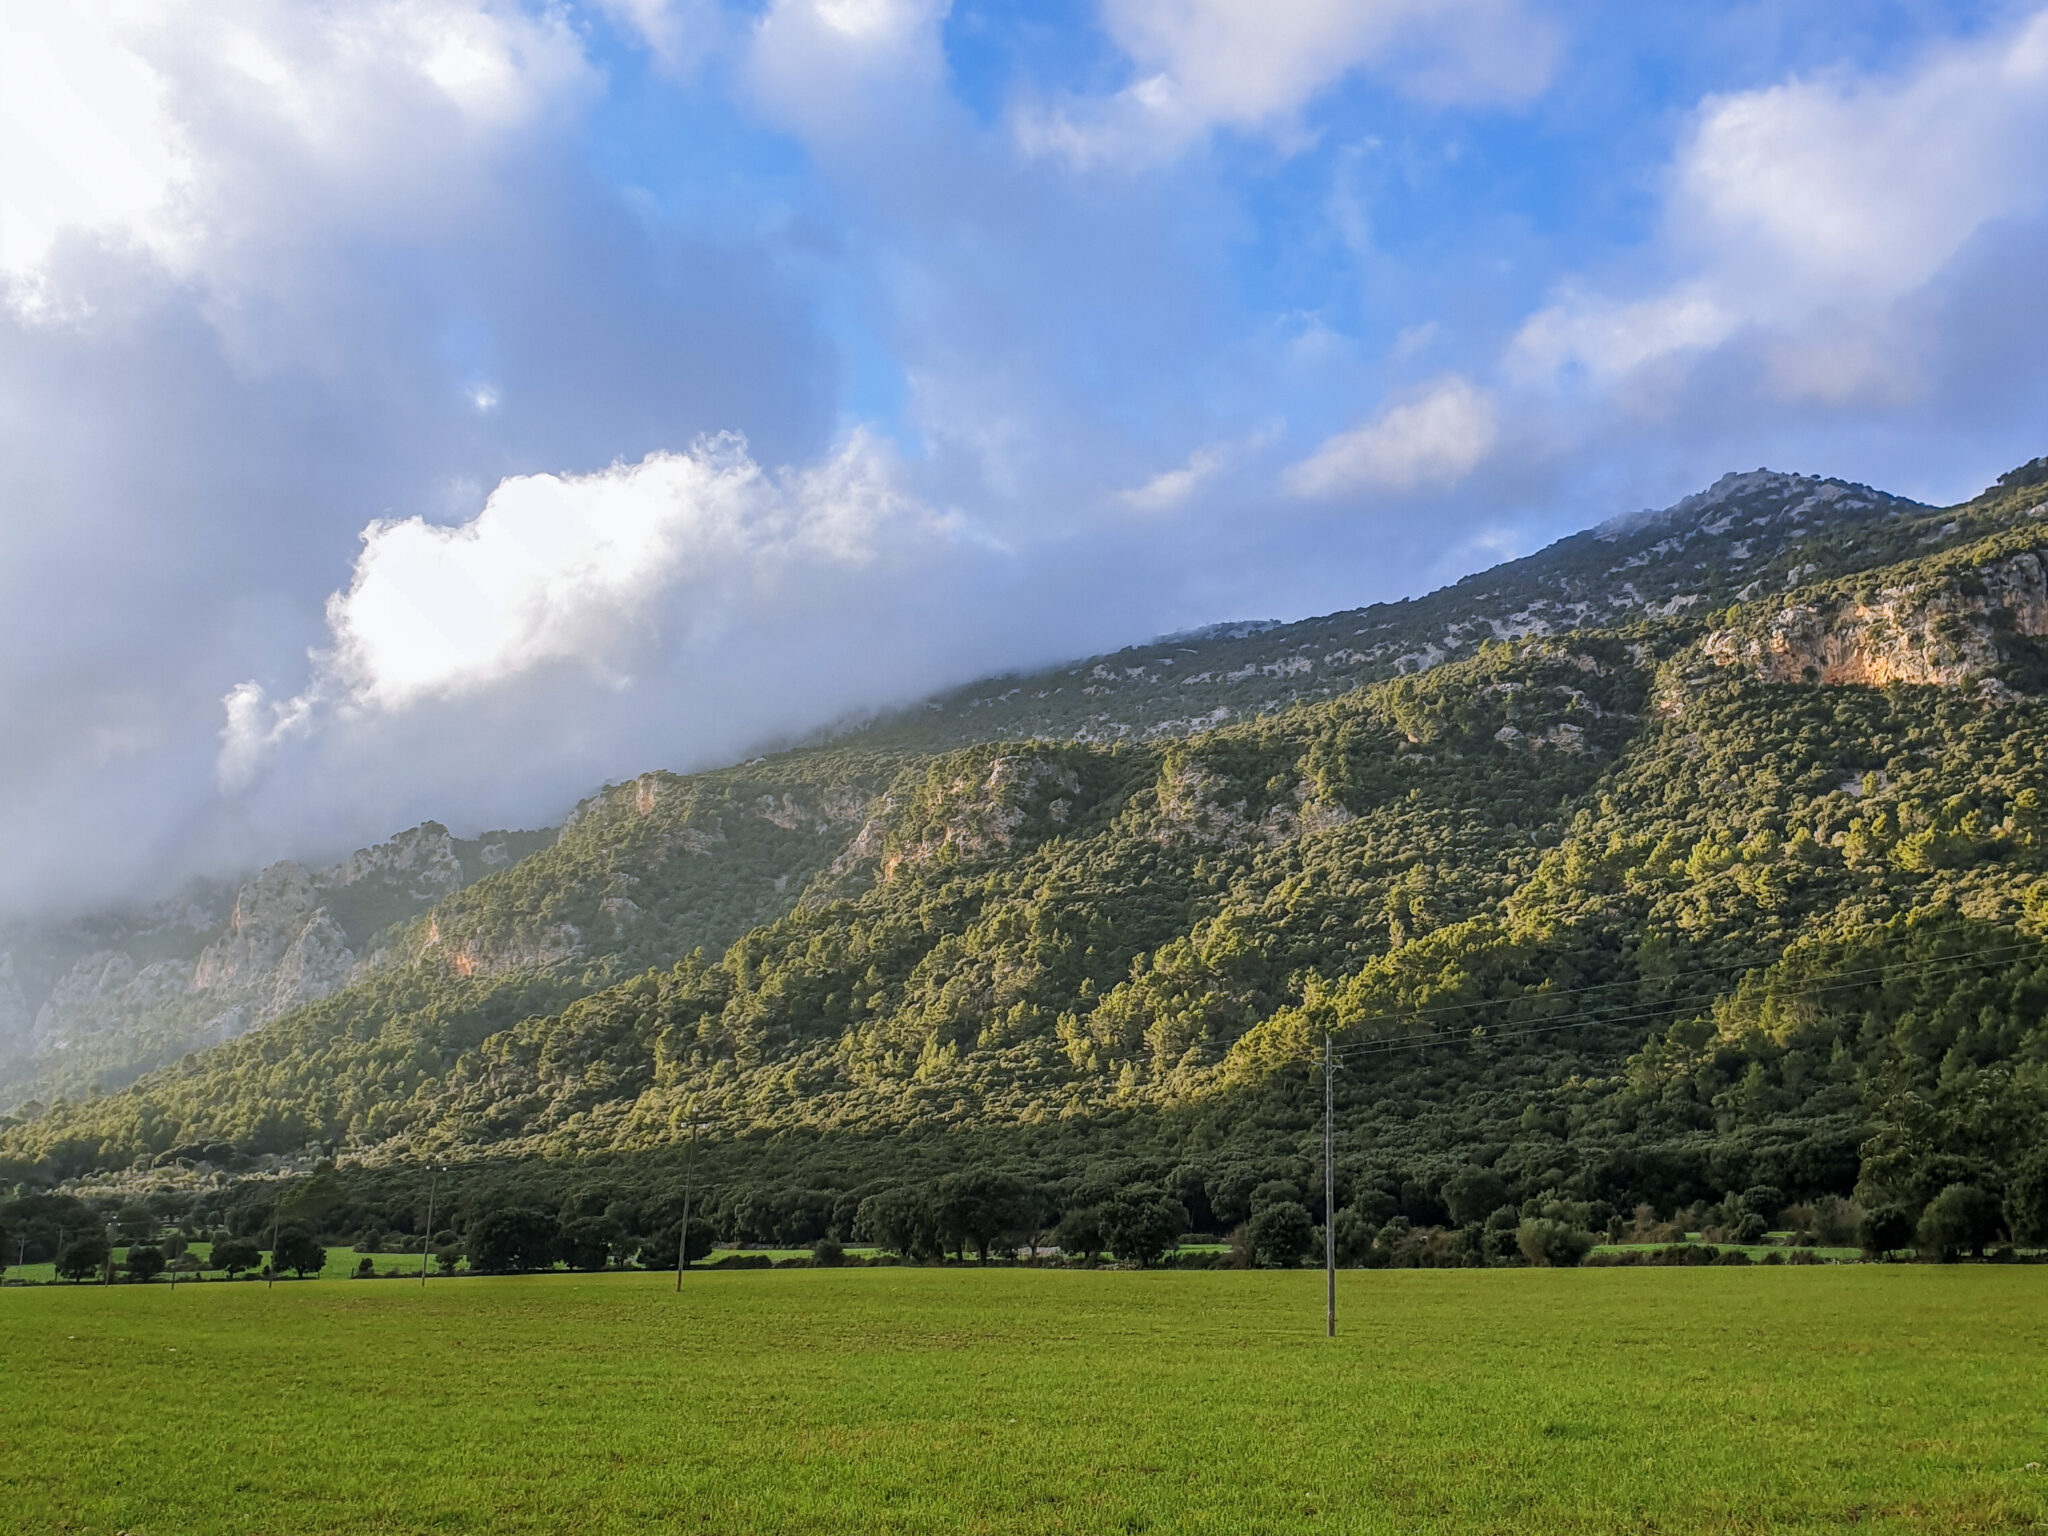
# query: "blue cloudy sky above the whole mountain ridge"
[[441, 409]]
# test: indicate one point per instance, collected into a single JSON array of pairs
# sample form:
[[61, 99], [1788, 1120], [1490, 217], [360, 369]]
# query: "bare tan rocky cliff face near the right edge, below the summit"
[[1947, 632]]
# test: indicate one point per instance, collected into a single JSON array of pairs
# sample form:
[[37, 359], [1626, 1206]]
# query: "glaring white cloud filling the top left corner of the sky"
[[204, 130]]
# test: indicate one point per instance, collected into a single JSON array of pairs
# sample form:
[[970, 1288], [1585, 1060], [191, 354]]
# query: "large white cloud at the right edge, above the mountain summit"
[[1803, 214]]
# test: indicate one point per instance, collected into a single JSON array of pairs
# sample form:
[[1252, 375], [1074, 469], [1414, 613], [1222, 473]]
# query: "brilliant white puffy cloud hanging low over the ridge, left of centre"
[[581, 570]]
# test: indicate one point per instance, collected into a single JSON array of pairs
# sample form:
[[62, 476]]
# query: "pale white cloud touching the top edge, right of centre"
[[1252, 67]]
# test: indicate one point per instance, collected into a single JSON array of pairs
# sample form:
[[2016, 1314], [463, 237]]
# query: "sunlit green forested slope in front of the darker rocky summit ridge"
[[1078, 931]]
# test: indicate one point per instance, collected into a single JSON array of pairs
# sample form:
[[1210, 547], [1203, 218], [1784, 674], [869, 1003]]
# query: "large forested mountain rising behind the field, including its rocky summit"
[[1701, 853]]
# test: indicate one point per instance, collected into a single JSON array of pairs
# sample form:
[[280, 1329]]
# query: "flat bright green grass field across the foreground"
[[1824, 1400]]
